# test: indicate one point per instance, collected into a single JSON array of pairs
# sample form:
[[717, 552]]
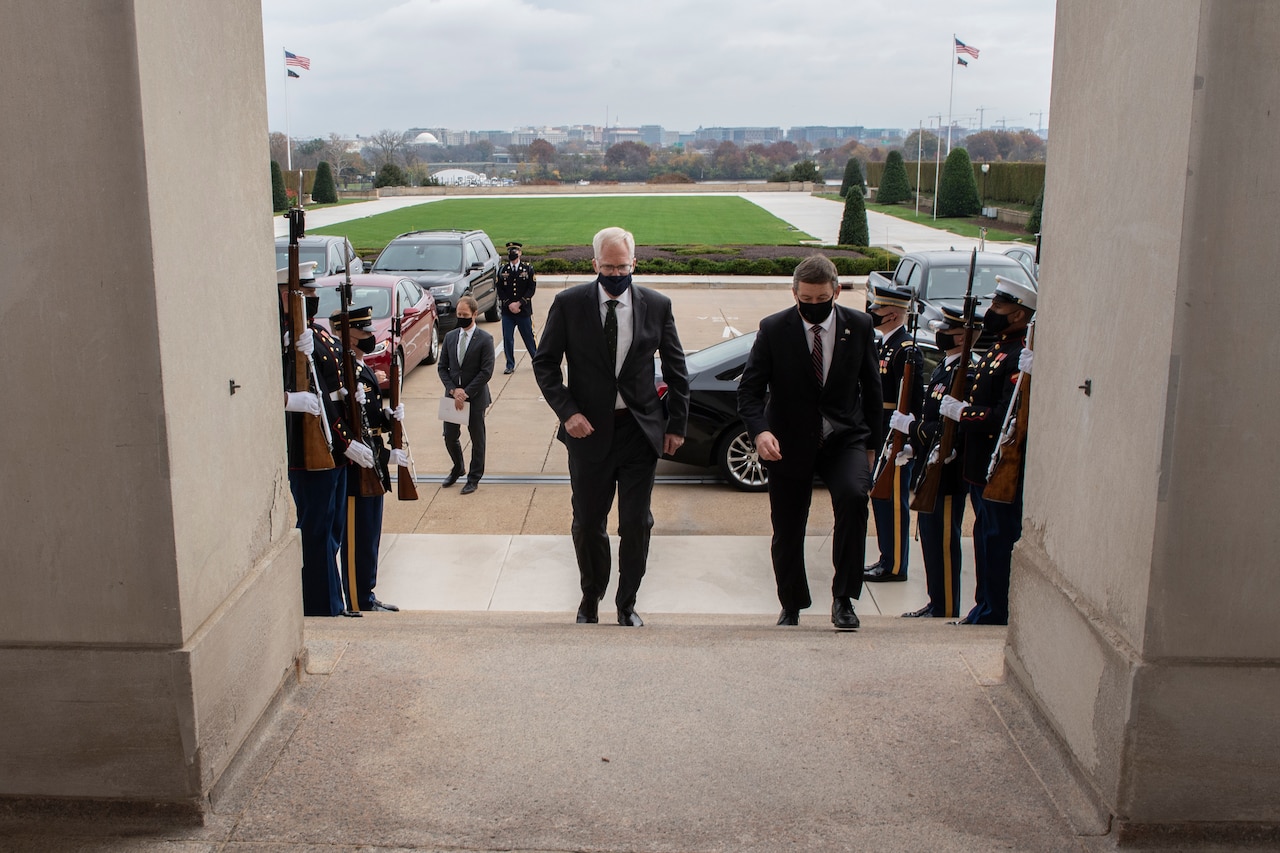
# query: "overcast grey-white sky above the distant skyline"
[[500, 65]]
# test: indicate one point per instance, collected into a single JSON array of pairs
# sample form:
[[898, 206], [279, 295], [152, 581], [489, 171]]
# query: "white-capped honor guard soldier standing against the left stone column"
[[321, 496]]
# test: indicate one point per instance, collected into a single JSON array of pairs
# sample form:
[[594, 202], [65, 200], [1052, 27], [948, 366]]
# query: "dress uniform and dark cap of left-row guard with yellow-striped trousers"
[[368, 510]]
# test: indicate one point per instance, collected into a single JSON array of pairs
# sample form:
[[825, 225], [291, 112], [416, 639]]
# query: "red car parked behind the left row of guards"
[[420, 336]]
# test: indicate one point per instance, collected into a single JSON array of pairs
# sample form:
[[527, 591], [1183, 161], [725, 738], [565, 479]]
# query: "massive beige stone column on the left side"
[[152, 600]]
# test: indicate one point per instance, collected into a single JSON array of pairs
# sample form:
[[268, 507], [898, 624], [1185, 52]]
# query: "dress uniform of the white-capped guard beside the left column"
[[321, 498]]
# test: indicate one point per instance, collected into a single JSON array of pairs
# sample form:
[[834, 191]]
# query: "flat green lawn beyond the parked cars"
[[568, 222]]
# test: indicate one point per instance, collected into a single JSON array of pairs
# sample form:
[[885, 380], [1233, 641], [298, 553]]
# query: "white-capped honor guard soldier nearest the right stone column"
[[998, 527]]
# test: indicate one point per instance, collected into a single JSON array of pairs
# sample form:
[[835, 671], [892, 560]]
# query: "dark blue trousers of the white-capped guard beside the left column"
[[321, 499]]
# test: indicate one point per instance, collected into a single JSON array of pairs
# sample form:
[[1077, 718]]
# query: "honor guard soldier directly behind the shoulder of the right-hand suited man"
[[889, 307]]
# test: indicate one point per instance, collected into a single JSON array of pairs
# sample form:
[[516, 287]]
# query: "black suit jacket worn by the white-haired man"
[[575, 334]]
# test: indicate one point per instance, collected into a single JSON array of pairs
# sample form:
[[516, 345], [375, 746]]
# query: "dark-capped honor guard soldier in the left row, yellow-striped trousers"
[[378, 421]]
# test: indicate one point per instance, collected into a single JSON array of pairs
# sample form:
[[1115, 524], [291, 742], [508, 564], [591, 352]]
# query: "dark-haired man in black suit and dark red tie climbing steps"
[[811, 399]]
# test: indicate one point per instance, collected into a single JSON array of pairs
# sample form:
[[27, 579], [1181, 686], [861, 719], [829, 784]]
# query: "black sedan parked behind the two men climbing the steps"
[[716, 436]]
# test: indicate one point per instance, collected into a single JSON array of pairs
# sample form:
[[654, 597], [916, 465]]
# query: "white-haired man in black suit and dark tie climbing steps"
[[612, 421]]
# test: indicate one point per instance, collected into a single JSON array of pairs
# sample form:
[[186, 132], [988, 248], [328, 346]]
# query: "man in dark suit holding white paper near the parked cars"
[[465, 368]]
